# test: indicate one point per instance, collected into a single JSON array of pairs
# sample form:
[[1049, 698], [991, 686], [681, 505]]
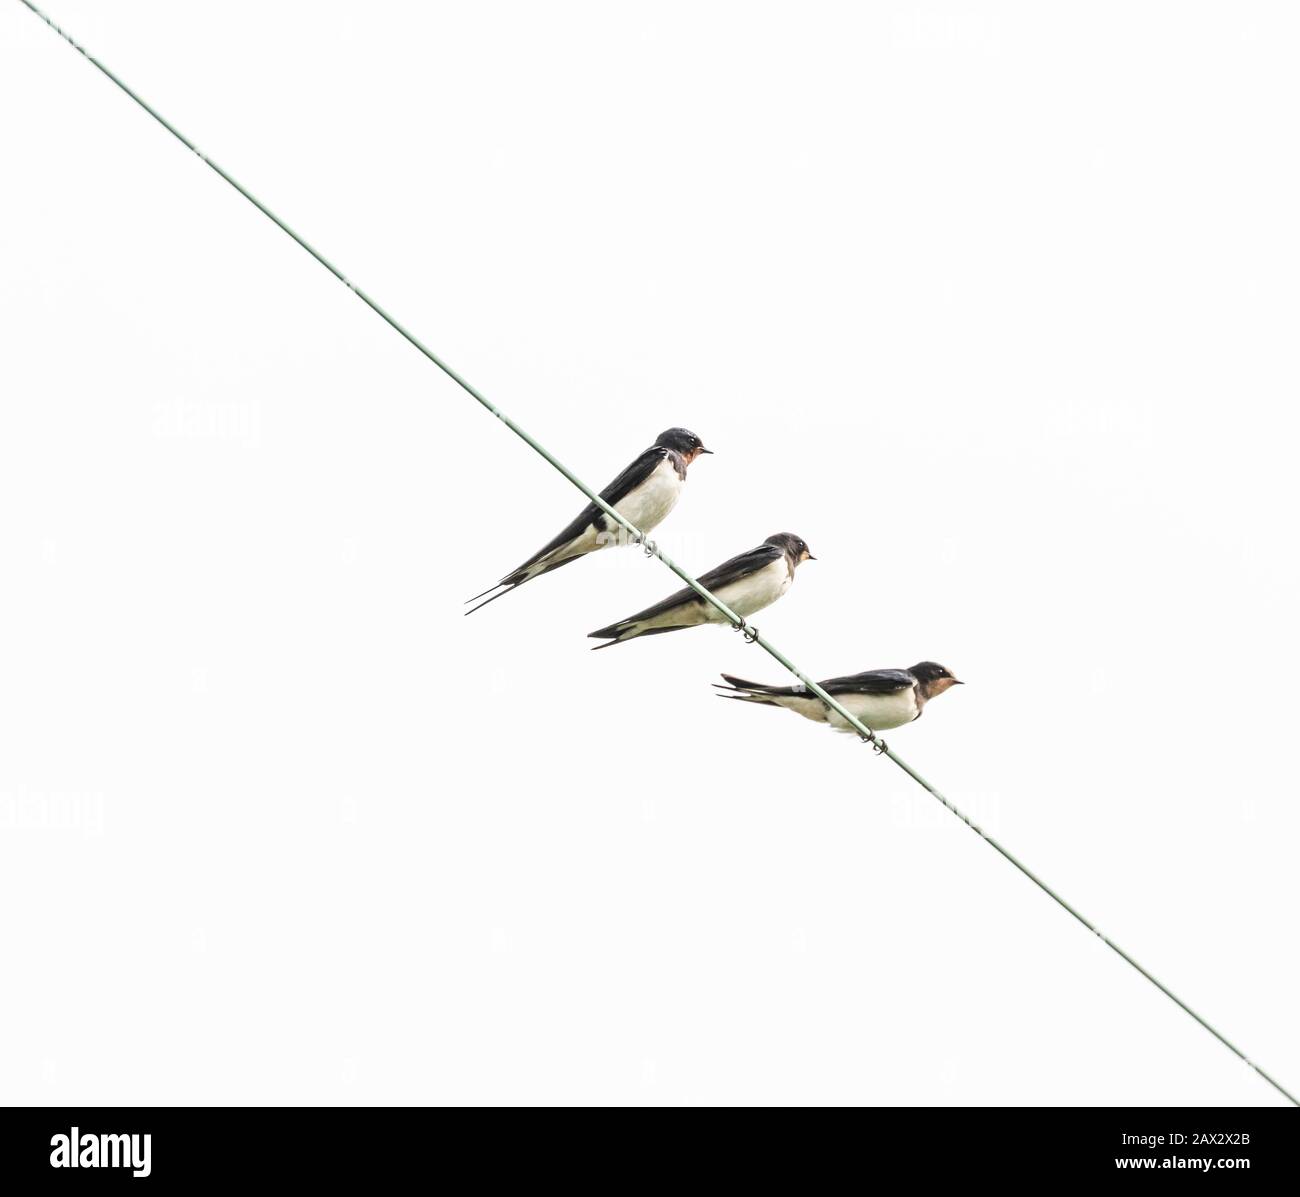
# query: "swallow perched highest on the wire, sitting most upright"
[[643, 495]]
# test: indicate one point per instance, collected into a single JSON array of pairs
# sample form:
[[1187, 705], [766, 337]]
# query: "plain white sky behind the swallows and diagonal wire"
[[993, 303]]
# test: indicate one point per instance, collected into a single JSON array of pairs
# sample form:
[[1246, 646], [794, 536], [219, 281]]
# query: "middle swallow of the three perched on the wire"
[[747, 584]]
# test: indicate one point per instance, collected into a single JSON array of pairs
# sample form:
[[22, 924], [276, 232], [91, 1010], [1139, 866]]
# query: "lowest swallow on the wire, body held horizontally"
[[879, 699]]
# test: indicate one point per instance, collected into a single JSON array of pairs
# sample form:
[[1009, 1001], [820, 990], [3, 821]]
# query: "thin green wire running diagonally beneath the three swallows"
[[653, 550]]
